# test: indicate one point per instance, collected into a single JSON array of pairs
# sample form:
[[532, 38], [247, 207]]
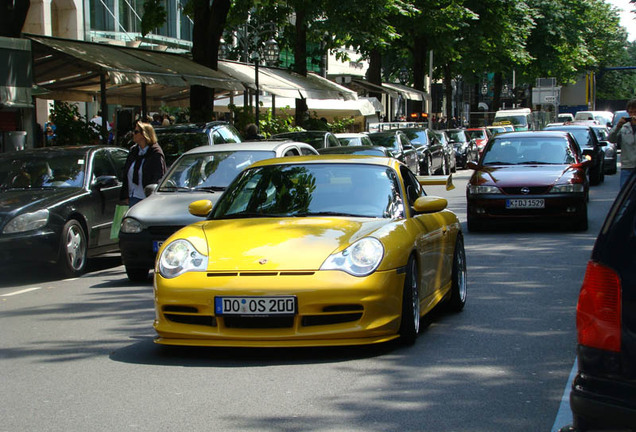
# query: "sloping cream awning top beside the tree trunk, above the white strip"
[[287, 84]]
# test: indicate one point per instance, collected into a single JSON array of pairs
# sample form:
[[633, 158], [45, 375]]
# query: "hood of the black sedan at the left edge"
[[14, 201]]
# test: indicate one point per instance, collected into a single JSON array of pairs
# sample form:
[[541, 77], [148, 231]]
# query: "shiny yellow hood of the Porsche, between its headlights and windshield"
[[275, 244]]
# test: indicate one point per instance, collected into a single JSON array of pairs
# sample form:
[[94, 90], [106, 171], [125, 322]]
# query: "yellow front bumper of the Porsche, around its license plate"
[[333, 308]]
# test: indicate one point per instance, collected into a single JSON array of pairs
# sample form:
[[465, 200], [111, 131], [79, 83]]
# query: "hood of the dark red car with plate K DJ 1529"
[[521, 175]]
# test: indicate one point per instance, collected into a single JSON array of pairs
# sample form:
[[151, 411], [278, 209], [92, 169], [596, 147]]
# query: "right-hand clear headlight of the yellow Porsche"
[[359, 259]]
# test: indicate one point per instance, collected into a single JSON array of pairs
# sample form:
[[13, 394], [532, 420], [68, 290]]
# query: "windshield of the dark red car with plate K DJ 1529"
[[520, 151]]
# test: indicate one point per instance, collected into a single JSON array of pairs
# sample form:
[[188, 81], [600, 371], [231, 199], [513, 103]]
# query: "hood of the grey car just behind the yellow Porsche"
[[169, 208]]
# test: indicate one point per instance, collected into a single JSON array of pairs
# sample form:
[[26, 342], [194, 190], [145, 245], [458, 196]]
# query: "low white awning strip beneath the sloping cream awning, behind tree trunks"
[[322, 107]]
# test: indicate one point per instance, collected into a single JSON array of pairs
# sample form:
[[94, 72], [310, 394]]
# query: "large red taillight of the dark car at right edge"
[[598, 313]]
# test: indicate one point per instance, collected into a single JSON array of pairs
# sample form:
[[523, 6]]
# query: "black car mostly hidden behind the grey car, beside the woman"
[[179, 138]]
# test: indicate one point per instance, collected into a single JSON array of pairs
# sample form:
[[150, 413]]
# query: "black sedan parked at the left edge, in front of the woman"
[[57, 204]]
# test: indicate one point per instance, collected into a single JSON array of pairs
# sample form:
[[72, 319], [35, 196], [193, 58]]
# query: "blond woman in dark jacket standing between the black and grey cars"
[[145, 165]]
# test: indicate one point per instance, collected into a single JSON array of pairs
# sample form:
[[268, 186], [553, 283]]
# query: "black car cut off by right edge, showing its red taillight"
[[603, 393]]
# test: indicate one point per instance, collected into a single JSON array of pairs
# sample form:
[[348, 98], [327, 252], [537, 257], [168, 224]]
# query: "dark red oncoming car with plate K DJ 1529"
[[529, 176]]
